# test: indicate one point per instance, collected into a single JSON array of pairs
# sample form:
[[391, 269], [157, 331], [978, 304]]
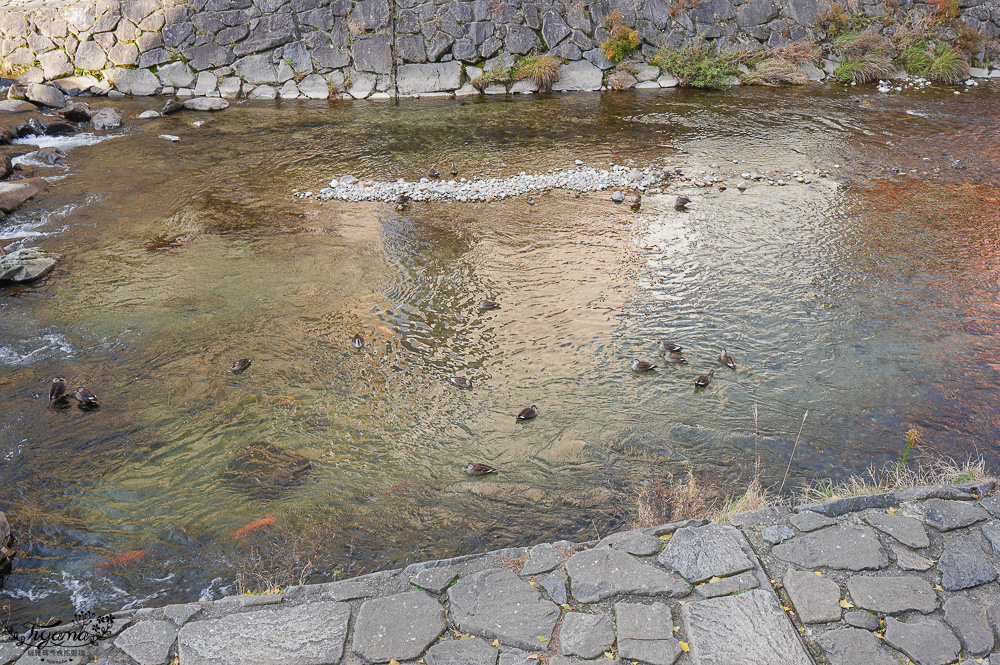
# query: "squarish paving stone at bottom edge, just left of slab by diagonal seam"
[[646, 633]]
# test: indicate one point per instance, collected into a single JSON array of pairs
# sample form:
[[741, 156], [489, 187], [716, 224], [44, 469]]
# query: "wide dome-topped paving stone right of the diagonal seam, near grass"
[[843, 548]]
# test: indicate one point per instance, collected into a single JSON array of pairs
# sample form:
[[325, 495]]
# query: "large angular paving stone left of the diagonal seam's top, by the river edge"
[[698, 553]]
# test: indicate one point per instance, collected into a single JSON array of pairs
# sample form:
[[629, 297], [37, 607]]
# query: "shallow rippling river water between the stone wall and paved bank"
[[867, 298]]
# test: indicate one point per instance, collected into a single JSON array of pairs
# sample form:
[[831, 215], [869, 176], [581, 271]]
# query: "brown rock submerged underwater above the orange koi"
[[264, 470]]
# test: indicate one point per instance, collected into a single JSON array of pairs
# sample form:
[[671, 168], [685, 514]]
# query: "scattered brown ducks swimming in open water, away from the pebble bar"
[[671, 353]]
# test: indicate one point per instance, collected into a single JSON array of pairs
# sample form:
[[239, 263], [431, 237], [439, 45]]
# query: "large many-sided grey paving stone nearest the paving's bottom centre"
[[497, 604]]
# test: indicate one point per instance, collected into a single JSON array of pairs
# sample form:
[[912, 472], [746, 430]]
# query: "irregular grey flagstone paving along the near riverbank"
[[891, 579]]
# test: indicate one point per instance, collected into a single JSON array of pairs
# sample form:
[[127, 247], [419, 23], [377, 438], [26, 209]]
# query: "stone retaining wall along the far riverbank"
[[377, 48]]
